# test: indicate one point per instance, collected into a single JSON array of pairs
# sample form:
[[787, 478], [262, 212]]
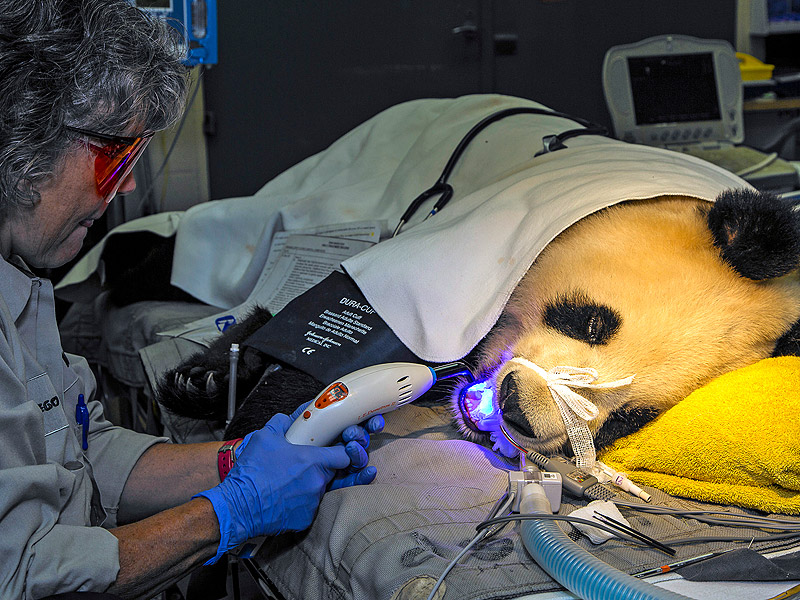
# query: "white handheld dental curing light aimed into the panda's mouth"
[[361, 394]]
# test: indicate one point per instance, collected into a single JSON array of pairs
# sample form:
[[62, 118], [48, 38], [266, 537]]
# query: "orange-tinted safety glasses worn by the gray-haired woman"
[[114, 160]]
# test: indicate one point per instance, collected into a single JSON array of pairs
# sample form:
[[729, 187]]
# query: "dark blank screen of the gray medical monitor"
[[675, 88]]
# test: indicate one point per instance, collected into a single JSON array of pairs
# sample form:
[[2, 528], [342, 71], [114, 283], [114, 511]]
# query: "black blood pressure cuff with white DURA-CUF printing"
[[329, 331]]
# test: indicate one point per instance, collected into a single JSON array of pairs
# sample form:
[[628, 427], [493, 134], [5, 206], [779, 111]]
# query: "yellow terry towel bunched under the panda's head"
[[735, 441]]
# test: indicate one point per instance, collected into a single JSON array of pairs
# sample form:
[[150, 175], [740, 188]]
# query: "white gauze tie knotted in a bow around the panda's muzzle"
[[575, 410]]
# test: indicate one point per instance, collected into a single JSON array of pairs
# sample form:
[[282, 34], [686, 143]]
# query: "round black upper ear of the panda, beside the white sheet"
[[758, 234]]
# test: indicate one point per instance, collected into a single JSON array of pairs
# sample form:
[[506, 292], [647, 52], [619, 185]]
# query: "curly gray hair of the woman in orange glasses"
[[102, 65]]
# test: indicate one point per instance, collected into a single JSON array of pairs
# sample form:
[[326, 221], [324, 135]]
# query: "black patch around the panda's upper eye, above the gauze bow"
[[581, 319]]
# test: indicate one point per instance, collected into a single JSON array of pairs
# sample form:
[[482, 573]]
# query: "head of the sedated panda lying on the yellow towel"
[[674, 291]]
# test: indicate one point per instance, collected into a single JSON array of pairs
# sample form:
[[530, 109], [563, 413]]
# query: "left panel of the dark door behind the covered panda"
[[294, 76]]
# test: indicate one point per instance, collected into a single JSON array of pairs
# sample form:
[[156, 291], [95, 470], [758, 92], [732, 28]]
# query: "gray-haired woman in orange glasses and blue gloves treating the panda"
[[84, 84]]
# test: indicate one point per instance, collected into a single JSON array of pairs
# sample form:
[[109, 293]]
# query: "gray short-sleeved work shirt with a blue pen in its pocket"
[[50, 538]]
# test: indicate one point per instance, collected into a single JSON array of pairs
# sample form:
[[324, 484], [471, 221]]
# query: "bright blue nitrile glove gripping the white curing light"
[[276, 486]]
